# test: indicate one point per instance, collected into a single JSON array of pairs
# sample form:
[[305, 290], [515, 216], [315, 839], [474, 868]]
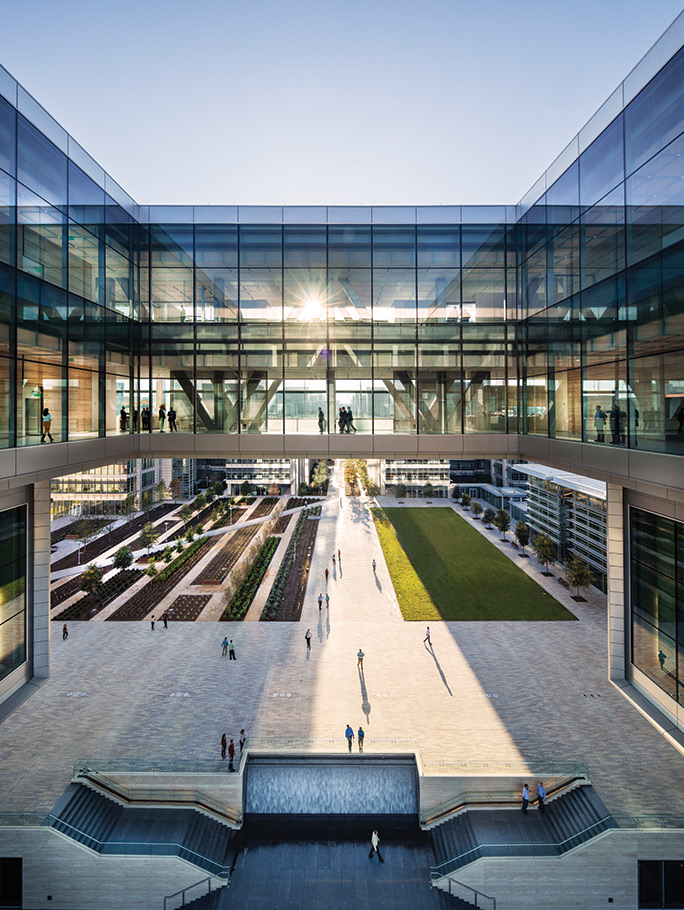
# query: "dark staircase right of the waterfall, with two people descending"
[[569, 821]]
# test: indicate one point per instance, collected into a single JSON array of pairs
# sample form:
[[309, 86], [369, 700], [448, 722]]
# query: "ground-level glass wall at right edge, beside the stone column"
[[657, 599]]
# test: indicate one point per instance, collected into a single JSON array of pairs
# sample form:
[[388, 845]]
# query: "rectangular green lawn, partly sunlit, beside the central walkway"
[[441, 568]]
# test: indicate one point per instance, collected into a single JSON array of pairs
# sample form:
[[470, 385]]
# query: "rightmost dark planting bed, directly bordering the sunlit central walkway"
[[285, 601]]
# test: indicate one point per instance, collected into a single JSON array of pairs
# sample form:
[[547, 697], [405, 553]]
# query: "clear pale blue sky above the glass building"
[[318, 102]]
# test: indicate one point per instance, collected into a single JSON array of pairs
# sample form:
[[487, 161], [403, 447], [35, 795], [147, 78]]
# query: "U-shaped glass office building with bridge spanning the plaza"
[[448, 331]]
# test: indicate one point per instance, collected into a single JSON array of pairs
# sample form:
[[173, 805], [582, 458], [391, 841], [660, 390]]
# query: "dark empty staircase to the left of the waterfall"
[[108, 828]]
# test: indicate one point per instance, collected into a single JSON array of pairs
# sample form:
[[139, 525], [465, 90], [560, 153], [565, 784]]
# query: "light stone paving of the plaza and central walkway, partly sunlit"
[[485, 691]]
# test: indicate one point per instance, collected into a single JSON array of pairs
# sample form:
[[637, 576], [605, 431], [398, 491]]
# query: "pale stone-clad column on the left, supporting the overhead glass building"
[[40, 608]]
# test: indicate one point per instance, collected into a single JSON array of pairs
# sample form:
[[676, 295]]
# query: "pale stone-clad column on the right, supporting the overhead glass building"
[[615, 560]]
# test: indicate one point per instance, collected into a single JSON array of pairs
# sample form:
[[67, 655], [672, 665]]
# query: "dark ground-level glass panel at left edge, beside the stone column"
[[13, 625]]
